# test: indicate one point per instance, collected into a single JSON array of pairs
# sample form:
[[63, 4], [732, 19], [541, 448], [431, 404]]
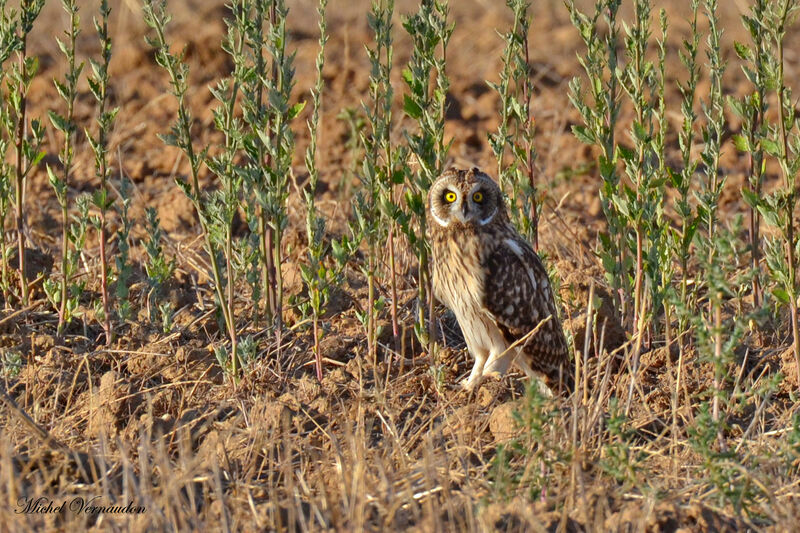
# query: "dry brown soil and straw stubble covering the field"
[[376, 447]]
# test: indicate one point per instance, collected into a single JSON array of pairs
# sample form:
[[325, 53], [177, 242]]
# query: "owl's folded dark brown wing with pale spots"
[[518, 296]]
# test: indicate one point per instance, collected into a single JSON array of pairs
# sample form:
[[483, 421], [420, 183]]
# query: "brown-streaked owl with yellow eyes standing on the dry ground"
[[493, 281]]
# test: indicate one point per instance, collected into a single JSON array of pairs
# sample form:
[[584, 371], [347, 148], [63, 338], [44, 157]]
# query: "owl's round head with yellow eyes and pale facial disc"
[[465, 197]]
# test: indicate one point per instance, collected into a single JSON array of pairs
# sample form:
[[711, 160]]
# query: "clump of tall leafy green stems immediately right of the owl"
[[634, 253]]
